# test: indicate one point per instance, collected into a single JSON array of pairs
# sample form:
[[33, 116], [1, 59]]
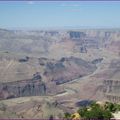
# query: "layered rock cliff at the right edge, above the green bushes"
[[111, 86]]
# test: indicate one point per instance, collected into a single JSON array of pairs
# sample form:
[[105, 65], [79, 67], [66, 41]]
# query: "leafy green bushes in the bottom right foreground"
[[97, 111]]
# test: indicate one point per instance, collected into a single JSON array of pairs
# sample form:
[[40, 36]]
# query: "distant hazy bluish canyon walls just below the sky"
[[43, 42]]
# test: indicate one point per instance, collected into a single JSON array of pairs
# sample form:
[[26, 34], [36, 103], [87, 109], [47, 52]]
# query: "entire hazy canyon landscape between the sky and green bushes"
[[49, 72]]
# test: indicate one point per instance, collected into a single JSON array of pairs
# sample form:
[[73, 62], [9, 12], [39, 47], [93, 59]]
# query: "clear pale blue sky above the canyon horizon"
[[35, 14]]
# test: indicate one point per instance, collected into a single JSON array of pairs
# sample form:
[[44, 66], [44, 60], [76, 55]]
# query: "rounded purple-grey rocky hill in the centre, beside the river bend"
[[68, 69]]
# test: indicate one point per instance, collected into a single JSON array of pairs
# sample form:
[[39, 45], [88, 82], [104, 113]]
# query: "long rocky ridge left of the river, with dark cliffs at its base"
[[43, 79]]
